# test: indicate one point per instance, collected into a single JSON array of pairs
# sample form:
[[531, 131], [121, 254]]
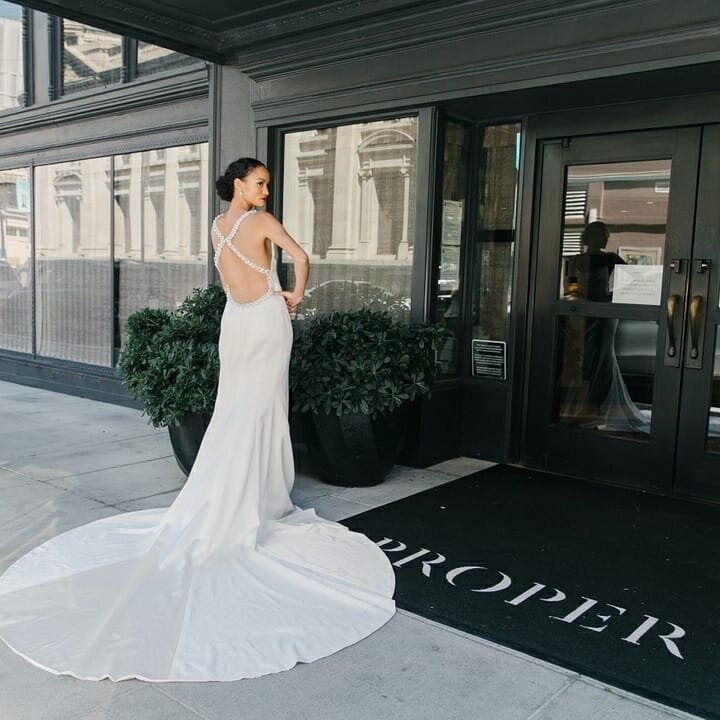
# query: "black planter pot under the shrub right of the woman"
[[352, 450]]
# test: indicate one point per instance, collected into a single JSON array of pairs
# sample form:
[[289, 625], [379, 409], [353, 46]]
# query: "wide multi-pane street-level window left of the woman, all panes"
[[111, 235]]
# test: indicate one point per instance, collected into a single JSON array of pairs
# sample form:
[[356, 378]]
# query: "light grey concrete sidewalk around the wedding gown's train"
[[65, 461]]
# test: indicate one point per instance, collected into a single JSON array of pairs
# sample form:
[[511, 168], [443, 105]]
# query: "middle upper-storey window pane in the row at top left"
[[91, 57]]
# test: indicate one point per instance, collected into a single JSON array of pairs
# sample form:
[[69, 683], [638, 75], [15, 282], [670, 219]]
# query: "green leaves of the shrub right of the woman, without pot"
[[361, 362]]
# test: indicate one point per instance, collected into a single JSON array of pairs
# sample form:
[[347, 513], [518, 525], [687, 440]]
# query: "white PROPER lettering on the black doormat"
[[485, 580]]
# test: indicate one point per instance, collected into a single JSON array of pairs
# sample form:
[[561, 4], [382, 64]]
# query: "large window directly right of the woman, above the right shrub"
[[349, 200]]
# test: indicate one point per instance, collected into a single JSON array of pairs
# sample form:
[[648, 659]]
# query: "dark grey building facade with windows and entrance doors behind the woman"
[[540, 178]]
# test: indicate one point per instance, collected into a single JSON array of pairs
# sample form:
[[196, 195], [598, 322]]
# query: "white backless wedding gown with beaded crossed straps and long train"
[[231, 581]]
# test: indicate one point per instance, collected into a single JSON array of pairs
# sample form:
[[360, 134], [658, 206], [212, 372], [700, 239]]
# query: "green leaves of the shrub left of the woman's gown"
[[170, 359]]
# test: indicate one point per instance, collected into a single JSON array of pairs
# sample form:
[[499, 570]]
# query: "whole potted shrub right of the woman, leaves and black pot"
[[351, 375]]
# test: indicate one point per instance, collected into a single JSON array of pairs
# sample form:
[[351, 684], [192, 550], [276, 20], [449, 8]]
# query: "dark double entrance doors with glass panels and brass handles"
[[624, 376]]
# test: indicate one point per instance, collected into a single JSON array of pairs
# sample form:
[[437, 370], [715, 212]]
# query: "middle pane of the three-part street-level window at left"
[[73, 271]]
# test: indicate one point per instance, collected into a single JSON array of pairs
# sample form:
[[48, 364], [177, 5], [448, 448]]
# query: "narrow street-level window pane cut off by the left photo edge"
[[15, 262]]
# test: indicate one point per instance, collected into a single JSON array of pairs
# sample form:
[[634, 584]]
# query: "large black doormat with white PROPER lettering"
[[613, 583]]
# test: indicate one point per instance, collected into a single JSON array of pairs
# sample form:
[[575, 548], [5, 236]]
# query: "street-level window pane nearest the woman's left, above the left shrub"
[[161, 217]]
